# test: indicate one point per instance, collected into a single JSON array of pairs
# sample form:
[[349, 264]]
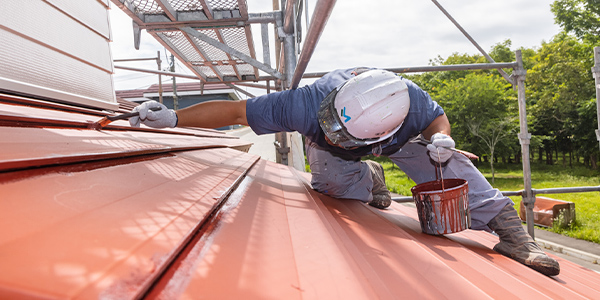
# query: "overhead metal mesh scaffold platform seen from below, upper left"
[[211, 37]]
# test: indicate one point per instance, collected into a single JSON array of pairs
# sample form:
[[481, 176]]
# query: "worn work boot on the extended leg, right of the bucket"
[[518, 244]]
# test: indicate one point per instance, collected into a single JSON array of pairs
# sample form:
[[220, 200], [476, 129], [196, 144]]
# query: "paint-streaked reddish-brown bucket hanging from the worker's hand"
[[443, 206]]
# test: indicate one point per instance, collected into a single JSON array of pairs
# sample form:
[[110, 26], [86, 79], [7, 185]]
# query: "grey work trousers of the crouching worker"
[[349, 179]]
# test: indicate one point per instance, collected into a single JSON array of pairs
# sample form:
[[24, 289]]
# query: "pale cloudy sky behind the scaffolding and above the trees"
[[382, 34]]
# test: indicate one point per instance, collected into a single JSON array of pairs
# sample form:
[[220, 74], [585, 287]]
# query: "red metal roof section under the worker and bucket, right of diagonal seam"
[[346, 249]]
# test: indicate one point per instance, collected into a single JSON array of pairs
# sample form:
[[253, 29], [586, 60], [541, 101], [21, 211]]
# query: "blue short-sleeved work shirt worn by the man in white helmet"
[[296, 110]]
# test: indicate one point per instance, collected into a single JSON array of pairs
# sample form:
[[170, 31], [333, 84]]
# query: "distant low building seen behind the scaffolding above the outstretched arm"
[[188, 94]]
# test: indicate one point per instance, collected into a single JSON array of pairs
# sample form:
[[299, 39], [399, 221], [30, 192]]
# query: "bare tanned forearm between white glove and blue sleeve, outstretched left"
[[213, 114]]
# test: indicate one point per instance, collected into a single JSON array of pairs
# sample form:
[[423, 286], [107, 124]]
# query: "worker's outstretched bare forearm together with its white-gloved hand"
[[210, 114]]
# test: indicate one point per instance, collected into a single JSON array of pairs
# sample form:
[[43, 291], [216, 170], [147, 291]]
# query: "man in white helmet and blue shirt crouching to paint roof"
[[348, 114]]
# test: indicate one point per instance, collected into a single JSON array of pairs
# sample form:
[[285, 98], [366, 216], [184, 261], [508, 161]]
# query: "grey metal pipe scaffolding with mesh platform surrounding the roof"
[[213, 39]]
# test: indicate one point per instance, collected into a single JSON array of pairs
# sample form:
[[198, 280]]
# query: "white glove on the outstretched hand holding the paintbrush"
[[156, 119]]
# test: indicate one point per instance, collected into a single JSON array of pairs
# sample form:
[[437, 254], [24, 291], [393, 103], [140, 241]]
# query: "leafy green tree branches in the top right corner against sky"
[[580, 17]]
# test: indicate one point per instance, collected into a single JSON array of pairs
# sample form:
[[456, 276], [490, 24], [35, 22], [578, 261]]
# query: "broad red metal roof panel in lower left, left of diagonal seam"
[[106, 232]]
